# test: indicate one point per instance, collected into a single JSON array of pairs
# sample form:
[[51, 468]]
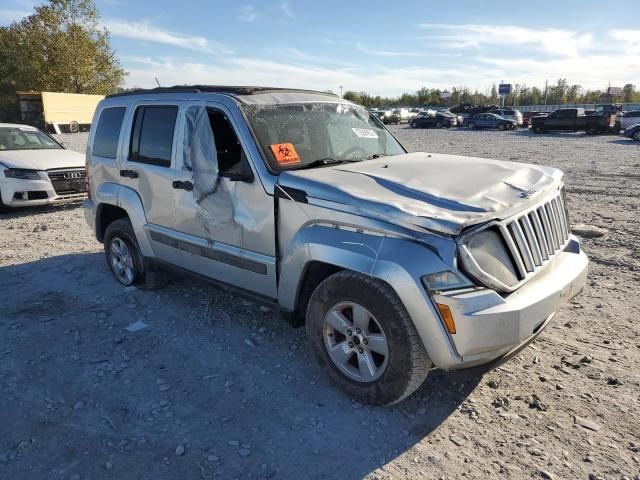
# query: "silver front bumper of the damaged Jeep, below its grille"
[[490, 325]]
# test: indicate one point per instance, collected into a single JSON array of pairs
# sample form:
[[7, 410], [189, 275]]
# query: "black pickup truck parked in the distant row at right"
[[574, 119]]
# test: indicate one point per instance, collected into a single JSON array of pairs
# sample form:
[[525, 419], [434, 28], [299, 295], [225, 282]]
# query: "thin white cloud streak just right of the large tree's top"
[[150, 33]]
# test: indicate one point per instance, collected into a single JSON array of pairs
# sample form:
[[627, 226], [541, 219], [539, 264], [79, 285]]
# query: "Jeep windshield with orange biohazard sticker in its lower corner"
[[294, 135]]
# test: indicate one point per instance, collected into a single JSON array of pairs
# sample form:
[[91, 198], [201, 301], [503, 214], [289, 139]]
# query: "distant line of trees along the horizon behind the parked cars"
[[560, 93]]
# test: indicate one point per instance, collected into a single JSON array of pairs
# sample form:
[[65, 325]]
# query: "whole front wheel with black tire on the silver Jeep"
[[364, 339]]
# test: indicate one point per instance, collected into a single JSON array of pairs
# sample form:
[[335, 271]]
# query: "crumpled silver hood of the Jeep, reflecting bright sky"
[[443, 193]]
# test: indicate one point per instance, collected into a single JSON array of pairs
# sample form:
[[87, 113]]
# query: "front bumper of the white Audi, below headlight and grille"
[[23, 193]]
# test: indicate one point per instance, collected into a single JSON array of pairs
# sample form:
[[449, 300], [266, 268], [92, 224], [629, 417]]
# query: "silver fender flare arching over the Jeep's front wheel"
[[400, 262]]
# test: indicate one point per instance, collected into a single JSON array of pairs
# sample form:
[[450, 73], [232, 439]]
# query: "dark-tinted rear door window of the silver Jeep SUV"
[[152, 136]]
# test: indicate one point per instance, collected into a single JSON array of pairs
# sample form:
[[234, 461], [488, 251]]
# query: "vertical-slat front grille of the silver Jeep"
[[535, 236]]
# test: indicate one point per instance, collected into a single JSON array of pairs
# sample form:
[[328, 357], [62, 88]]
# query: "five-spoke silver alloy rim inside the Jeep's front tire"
[[355, 342]]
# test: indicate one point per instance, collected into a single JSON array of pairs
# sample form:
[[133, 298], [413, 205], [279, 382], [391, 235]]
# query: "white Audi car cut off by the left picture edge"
[[37, 170]]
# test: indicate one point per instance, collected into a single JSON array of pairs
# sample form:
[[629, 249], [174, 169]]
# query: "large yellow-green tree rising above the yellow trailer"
[[62, 48]]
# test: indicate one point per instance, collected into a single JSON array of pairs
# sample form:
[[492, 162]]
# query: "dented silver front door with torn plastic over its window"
[[224, 227]]
